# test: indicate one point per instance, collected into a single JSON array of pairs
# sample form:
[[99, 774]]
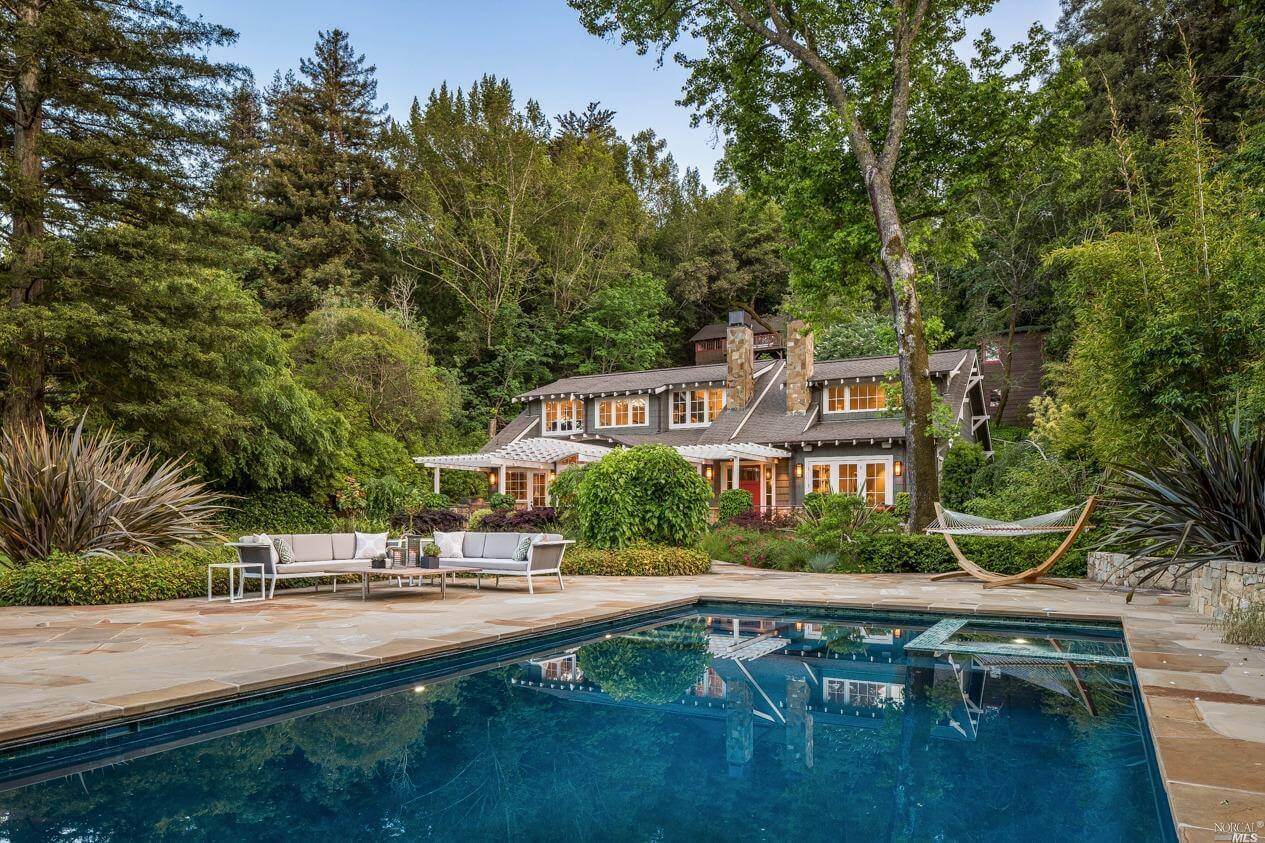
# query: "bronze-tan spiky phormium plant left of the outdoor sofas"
[[94, 494]]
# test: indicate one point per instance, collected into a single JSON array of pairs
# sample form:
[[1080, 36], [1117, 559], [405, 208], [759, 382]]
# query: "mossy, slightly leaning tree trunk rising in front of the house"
[[923, 475]]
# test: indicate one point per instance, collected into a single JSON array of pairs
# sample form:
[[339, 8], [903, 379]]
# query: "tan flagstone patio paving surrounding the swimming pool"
[[64, 669]]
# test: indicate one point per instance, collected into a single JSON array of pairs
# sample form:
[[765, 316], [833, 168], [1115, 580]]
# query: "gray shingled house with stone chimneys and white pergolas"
[[777, 428]]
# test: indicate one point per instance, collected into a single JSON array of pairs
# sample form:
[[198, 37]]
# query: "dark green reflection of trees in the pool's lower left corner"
[[264, 784]]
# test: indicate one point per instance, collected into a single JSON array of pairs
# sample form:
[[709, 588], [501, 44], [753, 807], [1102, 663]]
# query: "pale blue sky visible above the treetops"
[[538, 45]]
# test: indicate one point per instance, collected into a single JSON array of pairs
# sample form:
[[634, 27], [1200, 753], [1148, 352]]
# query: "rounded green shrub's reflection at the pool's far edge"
[[656, 666]]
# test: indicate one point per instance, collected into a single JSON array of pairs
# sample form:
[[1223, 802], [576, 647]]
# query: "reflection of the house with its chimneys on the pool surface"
[[851, 675]]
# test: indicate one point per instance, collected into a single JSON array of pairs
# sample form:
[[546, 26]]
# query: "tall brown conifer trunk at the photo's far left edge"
[[25, 392]]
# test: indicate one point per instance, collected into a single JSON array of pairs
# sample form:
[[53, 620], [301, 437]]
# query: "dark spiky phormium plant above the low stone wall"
[[1195, 499]]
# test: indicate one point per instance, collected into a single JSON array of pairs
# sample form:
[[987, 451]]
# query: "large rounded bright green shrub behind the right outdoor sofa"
[[645, 494]]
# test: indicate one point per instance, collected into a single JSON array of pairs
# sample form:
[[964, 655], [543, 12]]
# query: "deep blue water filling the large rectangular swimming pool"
[[732, 725]]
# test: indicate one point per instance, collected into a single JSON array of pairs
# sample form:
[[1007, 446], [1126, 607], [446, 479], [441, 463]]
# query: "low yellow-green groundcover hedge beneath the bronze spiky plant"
[[79, 582]]
